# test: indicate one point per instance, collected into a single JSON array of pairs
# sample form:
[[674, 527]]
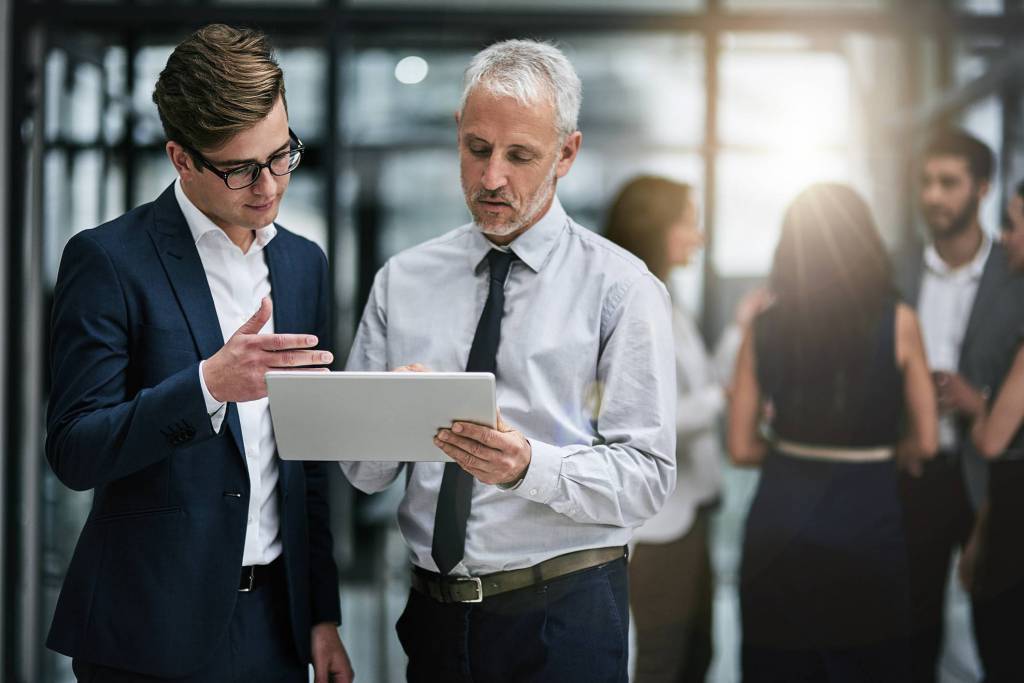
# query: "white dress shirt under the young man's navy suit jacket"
[[239, 282]]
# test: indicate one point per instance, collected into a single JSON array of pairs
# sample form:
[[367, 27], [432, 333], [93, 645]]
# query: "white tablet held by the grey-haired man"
[[374, 416]]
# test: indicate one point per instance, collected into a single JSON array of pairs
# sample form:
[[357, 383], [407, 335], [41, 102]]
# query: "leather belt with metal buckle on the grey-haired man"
[[476, 589]]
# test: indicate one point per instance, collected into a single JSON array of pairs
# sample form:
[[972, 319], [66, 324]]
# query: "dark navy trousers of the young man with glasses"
[[259, 648]]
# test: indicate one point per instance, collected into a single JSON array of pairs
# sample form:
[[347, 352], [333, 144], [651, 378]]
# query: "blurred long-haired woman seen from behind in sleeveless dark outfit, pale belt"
[[824, 580]]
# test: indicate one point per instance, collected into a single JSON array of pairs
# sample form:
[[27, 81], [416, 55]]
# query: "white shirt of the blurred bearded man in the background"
[[945, 308]]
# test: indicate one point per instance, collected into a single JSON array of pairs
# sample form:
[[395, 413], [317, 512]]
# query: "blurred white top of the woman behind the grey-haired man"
[[701, 381]]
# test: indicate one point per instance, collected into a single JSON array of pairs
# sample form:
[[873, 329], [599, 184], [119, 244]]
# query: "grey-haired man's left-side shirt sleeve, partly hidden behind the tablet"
[[370, 355]]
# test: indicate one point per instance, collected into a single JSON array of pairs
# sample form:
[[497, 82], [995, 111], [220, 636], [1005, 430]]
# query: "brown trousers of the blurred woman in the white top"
[[671, 588]]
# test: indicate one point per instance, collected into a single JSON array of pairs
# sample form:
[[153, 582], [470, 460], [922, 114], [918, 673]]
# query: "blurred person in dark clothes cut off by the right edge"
[[993, 567]]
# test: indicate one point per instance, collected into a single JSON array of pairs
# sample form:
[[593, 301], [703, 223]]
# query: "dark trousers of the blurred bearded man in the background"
[[938, 520]]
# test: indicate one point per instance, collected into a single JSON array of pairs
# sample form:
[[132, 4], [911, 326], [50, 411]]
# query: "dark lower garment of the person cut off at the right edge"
[[998, 593]]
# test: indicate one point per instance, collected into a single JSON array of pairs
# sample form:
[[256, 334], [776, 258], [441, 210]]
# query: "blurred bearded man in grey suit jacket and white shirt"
[[968, 302]]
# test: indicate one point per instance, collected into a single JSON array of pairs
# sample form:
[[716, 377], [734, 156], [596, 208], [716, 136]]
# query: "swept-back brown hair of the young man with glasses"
[[218, 83]]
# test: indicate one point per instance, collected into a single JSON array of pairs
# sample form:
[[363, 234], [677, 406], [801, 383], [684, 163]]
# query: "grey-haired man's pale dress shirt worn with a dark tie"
[[585, 371]]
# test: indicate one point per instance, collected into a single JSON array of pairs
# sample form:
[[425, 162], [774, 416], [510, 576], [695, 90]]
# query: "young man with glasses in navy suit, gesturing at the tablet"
[[204, 558]]
